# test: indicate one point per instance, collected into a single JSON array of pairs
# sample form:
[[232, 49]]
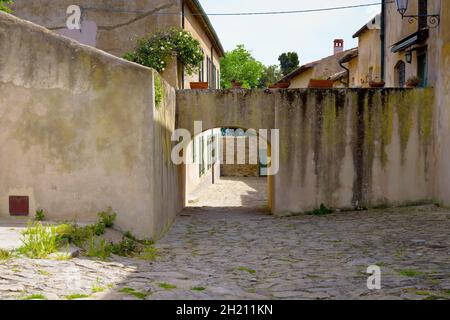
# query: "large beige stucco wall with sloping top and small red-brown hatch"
[[80, 132]]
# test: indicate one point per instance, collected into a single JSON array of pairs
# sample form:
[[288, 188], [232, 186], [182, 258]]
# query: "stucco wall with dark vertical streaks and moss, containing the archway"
[[344, 148]]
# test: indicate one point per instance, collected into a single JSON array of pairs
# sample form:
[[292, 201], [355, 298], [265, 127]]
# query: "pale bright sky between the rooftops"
[[311, 35]]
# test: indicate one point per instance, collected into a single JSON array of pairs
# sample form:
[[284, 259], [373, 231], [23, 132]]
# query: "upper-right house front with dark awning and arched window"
[[410, 44]]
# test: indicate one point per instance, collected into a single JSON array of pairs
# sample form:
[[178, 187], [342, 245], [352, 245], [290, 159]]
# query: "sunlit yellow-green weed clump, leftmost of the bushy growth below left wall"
[[39, 241]]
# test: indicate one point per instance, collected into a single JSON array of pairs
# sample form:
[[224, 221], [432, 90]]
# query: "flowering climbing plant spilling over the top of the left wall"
[[157, 50]]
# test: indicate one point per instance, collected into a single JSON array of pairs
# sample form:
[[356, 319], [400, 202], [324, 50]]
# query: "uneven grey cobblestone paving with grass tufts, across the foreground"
[[238, 253]]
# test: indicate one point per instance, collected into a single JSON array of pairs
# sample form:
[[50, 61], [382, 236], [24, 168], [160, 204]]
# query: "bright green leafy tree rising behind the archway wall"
[[240, 65]]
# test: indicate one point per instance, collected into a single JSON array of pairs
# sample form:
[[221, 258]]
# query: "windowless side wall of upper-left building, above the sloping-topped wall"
[[118, 23]]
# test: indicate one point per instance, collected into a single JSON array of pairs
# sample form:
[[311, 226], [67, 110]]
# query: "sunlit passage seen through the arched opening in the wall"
[[227, 168]]
